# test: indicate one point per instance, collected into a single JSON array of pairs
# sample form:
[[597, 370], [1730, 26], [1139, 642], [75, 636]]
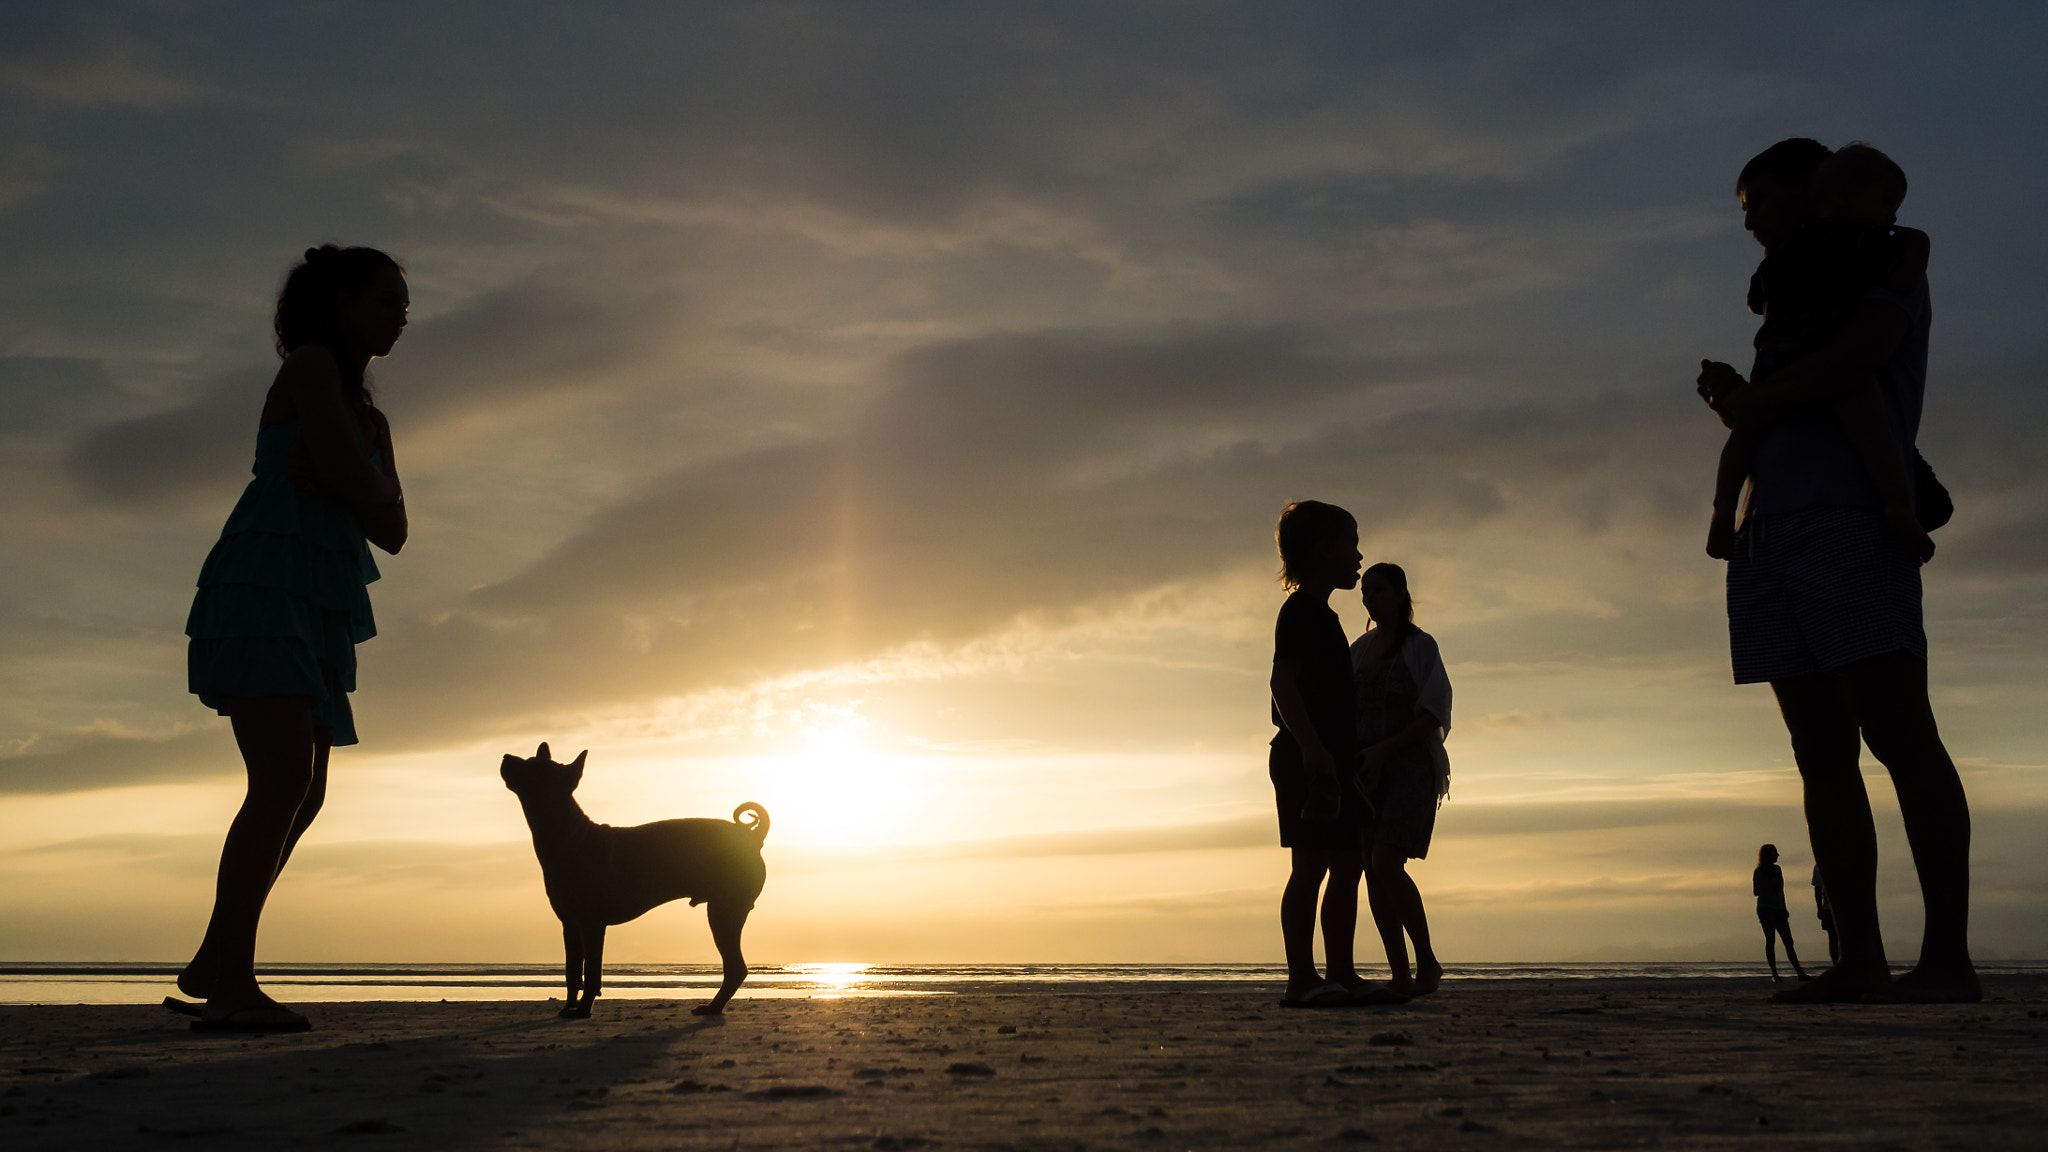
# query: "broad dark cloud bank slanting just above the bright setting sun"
[[992, 481]]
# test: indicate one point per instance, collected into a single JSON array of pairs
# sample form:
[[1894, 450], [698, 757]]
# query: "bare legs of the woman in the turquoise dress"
[[280, 753]]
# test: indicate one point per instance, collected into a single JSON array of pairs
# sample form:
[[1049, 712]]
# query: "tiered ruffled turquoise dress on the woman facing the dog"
[[284, 595]]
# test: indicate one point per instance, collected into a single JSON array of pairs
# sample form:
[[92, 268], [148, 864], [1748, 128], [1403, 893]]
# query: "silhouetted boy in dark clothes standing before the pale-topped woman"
[[1312, 764]]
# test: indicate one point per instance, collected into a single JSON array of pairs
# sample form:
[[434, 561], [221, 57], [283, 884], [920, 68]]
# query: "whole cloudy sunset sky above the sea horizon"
[[880, 413]]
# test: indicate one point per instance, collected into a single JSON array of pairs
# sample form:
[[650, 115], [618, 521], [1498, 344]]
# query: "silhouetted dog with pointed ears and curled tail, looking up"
[[601, 876]]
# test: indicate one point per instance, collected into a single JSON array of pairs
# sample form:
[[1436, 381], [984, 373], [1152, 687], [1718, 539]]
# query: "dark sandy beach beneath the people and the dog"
[[1484, 1065]]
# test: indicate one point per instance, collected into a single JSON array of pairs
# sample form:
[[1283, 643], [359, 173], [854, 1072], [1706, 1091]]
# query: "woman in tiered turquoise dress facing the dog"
[[282, 600]]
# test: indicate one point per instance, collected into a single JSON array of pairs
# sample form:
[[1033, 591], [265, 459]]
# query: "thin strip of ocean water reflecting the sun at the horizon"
[[325, 983]]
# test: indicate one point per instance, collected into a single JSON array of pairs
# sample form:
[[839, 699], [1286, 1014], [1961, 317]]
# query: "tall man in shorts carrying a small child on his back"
[[1826, 606]]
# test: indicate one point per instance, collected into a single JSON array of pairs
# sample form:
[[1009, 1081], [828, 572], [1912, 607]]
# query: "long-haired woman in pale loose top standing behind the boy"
[[1404, 716]]
